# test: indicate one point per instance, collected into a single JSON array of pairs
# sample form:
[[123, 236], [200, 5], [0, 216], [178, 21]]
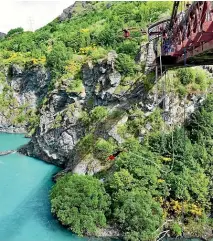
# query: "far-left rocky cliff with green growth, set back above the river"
[[21, 90]]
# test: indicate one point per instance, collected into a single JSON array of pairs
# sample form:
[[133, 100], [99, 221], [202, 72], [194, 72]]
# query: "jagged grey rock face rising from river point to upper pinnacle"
[[55, 143]]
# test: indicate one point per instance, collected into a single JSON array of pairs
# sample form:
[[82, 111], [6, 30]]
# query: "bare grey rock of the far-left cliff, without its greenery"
[[27, 87]]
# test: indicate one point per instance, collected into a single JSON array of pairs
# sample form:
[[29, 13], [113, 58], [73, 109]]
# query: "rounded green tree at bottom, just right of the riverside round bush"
[[137, 214]]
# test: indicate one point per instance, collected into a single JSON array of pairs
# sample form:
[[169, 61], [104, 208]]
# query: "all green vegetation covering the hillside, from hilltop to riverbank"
[[167, 175]]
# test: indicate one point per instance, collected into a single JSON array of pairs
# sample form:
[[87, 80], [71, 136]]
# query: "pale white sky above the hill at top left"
[[29, 15]]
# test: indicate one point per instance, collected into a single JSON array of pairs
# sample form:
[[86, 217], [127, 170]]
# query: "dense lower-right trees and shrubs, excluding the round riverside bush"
[[158, 180]]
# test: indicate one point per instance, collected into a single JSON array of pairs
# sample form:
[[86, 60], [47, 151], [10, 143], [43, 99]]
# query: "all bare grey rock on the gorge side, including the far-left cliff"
[[60, 126]]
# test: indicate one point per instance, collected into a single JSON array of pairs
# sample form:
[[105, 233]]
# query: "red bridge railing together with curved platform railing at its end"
[[190, 29]]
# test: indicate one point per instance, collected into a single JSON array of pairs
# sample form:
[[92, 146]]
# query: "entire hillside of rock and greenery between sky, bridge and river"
[[144, 146]]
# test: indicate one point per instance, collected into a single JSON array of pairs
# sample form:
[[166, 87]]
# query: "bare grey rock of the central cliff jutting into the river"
[[61, 128]]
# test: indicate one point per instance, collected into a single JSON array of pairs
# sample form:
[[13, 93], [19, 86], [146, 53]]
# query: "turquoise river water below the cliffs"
[[25, 183]]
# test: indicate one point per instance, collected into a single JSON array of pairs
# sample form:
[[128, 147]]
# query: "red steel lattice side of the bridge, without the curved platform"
[[191, 28]]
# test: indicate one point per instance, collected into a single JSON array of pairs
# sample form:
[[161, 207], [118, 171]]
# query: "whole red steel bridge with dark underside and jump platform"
[[184, 39]]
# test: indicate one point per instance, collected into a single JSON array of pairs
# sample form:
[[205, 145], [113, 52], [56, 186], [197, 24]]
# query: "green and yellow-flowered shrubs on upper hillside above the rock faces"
[[63, 47]]
